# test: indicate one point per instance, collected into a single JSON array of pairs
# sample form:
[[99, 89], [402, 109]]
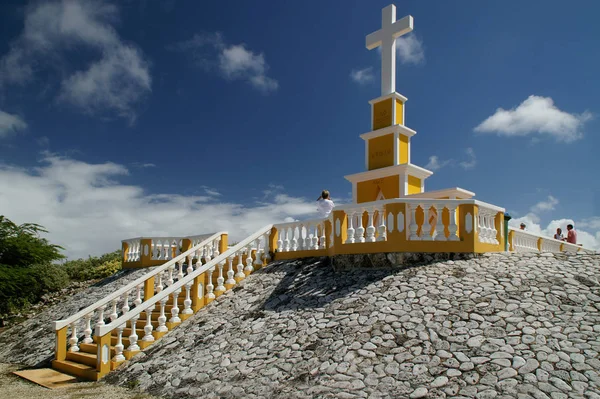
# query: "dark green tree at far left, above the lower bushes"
[[21, 245]]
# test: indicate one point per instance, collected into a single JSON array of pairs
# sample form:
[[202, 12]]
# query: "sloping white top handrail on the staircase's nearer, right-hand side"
[[107, 328]]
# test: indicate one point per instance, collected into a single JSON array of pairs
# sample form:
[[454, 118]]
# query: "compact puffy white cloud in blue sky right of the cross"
[[536, 115]]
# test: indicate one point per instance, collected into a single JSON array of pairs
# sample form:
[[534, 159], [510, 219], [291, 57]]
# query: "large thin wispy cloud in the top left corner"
[[116, 81]]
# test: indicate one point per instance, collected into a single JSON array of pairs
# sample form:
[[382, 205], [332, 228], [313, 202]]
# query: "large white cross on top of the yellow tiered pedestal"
[[386, 38]]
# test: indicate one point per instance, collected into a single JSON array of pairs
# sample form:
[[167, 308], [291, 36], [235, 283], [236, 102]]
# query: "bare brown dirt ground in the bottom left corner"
[[14, 387]]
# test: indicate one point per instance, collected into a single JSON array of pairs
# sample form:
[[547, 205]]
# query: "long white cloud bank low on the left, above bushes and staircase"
[[88, 211]]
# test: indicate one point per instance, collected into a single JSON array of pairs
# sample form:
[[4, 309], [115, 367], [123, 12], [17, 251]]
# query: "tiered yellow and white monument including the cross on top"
[[390, 174]]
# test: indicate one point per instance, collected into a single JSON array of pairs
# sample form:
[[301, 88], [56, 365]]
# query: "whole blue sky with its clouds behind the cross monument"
[[121, 119]]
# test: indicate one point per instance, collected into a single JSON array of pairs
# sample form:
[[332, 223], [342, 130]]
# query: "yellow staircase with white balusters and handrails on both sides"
[[201, 274]]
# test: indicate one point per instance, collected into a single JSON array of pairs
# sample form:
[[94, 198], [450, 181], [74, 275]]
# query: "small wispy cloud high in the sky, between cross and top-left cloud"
[[233, 61]]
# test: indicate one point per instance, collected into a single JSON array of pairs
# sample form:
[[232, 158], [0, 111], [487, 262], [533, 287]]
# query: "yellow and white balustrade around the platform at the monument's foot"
[[398, 225]]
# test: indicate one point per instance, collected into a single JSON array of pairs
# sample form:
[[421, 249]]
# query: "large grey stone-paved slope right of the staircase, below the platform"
[[499, 326]]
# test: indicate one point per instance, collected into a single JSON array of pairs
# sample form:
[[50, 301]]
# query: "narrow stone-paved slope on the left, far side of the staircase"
[[32, 342]]
